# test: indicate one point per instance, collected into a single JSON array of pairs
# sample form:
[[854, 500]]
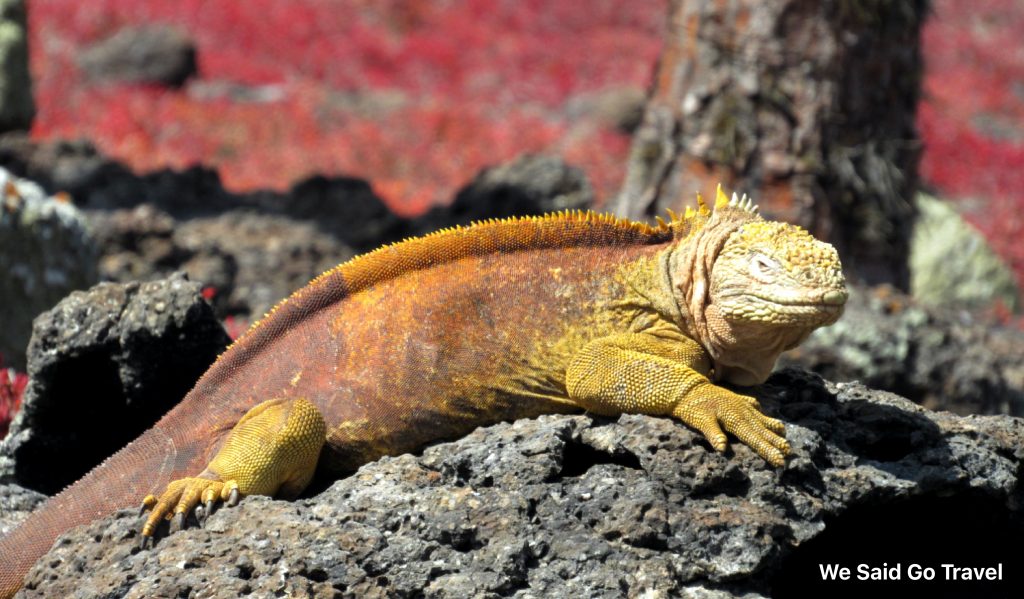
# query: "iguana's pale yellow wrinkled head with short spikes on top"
[[751, 288]]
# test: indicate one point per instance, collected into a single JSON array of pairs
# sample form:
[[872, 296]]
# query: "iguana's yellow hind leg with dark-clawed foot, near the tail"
[[273, 450]]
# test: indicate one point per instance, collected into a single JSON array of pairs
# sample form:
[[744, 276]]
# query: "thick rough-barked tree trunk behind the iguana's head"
[[808, 106]]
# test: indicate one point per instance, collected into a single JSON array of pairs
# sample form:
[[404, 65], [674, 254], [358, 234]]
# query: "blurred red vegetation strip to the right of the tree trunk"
[[972, 118]]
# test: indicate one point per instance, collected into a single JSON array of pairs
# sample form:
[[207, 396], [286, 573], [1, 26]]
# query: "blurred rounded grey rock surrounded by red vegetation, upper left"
[[152, 54]]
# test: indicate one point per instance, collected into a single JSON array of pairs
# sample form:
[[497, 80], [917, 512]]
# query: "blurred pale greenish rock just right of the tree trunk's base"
[[953, 266]]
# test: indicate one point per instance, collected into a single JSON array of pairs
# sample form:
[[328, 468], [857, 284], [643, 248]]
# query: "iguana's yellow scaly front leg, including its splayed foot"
[[665, 373]]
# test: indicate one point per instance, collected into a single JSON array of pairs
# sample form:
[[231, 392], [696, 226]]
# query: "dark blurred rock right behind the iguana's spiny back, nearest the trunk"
[[528, 186]]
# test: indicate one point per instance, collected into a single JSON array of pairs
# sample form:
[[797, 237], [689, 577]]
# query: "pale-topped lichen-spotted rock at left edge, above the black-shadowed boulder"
[[46, 253]]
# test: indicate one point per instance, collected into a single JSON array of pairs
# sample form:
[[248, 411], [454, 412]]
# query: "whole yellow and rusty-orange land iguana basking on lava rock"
[[432, 337]]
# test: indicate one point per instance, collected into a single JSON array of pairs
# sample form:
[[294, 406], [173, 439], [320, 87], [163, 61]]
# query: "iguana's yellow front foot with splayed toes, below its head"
[[710, 409]]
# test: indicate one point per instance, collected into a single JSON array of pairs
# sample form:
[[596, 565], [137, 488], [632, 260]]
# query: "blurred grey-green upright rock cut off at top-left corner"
[[17, 105]]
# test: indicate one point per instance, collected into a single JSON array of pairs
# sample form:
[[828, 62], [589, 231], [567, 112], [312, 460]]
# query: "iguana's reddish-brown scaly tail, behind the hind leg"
[[165, 453]]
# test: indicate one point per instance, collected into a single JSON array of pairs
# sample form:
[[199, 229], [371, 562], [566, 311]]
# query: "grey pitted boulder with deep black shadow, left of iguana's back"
[[104, 366]]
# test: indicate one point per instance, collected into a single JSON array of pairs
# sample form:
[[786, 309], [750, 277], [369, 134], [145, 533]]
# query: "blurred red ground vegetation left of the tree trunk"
[[414, 96]]
